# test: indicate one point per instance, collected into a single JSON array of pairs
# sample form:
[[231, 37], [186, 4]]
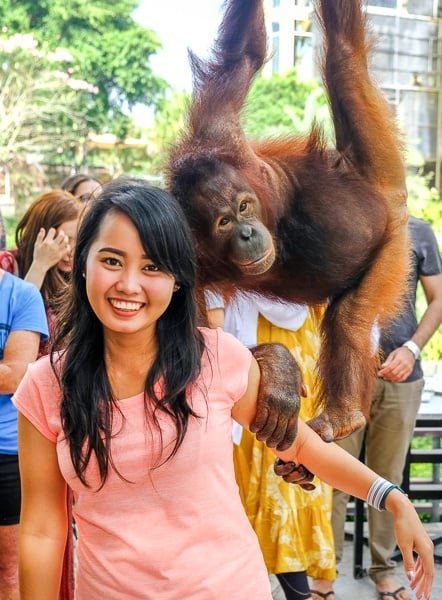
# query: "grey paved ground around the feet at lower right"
[[348, 588]]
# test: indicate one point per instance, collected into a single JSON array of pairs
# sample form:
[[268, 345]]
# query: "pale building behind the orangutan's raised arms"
[[406, 62]]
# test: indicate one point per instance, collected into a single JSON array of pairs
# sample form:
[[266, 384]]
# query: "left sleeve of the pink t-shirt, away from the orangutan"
[[38, 398]]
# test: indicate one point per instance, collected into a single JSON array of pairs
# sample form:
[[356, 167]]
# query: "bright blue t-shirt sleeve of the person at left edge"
[[30, 314]]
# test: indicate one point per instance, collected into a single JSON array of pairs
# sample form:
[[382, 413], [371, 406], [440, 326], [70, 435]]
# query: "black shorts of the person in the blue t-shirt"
[[10, 493]]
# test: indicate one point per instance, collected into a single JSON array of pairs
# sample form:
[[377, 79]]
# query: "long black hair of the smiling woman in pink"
[[87, 401]]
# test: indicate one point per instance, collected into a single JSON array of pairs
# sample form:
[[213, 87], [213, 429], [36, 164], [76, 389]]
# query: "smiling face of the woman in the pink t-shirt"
[[126, 290]]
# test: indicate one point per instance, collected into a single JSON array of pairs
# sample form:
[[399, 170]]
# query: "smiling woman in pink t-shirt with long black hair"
[[134, 415]]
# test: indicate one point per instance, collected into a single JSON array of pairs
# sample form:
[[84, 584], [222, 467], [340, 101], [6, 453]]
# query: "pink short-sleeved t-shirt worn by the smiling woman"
[[174, 532]]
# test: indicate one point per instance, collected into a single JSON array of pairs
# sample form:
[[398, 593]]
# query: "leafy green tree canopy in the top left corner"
[[108, 49]]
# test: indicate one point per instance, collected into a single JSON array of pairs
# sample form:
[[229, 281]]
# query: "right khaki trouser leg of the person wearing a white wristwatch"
[[392, 420]]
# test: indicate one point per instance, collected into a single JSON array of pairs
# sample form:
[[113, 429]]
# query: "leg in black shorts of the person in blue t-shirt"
[[9, 517]]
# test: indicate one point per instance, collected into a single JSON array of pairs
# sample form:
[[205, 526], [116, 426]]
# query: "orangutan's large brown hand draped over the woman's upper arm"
[[278, 396]]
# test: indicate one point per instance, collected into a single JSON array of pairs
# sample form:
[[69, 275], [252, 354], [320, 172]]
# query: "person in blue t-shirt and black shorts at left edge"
[[23, 324]]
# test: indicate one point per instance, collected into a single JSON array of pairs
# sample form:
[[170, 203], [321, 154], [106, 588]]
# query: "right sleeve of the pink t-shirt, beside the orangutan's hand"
[[234, 361]]
